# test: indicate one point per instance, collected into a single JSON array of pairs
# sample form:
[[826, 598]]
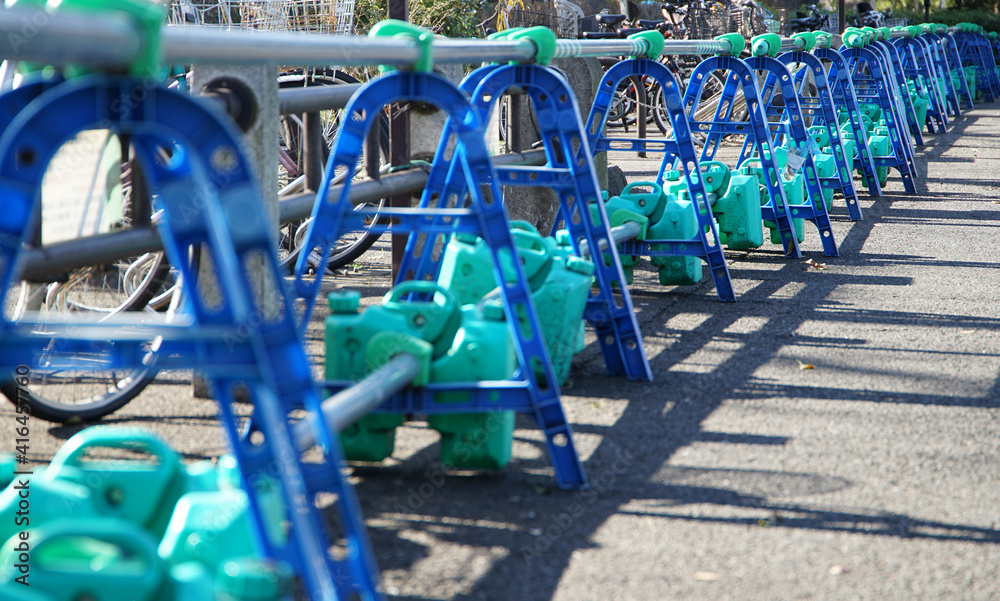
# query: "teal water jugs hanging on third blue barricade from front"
[[559, 282]]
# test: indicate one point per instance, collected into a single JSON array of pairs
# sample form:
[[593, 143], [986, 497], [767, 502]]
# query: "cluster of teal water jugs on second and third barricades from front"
[[458, 329]]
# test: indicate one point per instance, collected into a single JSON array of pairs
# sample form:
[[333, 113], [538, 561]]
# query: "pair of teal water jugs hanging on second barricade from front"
[[457, 344]]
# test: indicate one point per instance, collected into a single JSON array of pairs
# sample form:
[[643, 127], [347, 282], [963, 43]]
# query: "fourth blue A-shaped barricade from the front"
[[679, 148]]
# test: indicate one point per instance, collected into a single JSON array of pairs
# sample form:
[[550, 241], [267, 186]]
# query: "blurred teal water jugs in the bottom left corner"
[[149, 530]]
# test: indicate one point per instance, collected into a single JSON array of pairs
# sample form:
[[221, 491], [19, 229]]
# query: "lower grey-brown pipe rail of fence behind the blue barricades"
[[42, 264]]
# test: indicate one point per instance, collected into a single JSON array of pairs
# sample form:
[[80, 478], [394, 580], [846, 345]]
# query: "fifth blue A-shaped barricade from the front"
[[739, 77]]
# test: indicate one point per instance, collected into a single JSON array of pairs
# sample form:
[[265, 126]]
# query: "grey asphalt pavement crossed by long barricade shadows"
[[737, 474]]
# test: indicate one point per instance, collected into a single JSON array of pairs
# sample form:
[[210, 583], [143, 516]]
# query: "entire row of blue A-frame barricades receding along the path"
[[872, 102]]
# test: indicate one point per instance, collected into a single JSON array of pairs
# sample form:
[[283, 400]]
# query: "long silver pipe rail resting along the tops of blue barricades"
[[111, 41]]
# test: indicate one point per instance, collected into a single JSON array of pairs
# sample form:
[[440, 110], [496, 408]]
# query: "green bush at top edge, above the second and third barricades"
[[453, 18]]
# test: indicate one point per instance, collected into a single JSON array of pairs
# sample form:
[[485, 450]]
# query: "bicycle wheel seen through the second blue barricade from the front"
[[351, 245]]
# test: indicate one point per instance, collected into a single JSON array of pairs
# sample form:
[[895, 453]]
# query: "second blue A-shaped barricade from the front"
[[485, 217]]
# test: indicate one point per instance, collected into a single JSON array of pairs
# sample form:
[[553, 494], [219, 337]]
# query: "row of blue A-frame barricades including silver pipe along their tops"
[[249, 345]]
